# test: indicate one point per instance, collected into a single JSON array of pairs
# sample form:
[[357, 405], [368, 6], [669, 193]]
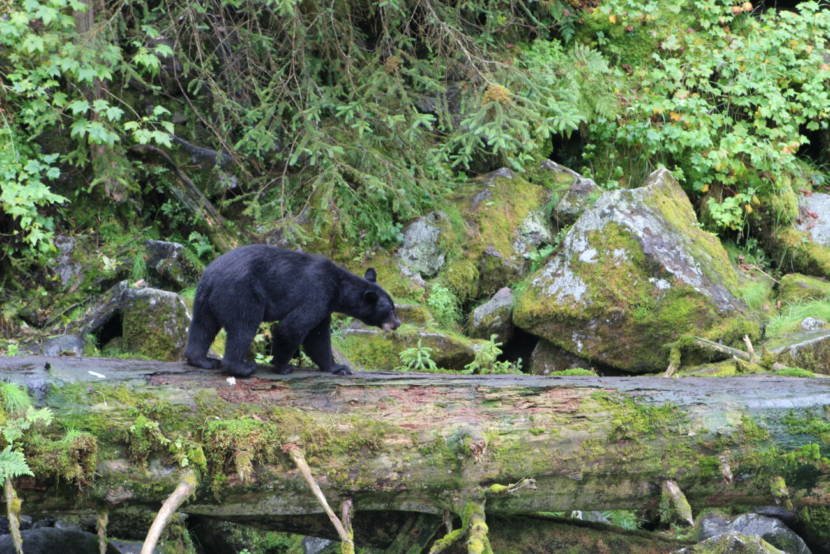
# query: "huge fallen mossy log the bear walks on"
[[125, 432]]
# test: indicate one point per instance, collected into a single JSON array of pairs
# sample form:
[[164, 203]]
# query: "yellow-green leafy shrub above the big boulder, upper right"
[[721, 98]]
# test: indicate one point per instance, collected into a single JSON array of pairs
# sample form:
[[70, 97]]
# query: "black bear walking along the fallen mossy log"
[[256, 283]]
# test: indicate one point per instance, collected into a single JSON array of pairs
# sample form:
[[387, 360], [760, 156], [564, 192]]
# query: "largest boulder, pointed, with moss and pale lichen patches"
[[635, 274]]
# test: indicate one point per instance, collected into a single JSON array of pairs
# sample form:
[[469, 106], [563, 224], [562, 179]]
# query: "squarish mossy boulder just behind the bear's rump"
[[154, 323]]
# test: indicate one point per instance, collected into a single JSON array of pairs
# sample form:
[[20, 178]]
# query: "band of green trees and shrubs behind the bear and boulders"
[[348, 118]]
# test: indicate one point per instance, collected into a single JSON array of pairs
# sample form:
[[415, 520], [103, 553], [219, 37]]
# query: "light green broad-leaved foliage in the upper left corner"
[[53, 83]]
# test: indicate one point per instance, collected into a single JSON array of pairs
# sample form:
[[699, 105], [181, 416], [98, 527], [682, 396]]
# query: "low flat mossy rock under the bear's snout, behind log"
[[375, 350]]
